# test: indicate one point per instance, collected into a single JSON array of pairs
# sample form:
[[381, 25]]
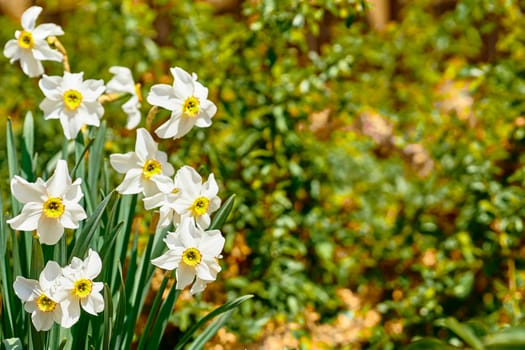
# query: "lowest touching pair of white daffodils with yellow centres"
[[60, 292]]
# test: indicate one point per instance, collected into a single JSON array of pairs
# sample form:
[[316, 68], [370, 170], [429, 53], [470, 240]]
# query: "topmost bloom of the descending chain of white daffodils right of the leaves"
[[147, 169]]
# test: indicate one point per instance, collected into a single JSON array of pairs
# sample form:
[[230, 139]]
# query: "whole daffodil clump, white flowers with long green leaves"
[[70, 252]]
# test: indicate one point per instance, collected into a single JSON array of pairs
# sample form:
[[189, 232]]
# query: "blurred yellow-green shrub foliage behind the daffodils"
[[328, 206]]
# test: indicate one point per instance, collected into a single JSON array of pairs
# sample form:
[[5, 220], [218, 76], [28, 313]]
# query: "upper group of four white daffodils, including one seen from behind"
[[77, 102]]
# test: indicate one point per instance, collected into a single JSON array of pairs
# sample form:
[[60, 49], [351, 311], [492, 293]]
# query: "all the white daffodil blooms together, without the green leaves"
[[184, 202]]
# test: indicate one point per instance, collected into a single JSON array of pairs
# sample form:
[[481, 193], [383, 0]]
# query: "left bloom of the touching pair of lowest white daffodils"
[[39, 297]]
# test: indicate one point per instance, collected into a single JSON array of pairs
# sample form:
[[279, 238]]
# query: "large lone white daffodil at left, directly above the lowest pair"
[[50, 206]]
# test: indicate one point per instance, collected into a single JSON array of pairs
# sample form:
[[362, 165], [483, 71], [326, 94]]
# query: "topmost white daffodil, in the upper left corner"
[[30, 45]]
